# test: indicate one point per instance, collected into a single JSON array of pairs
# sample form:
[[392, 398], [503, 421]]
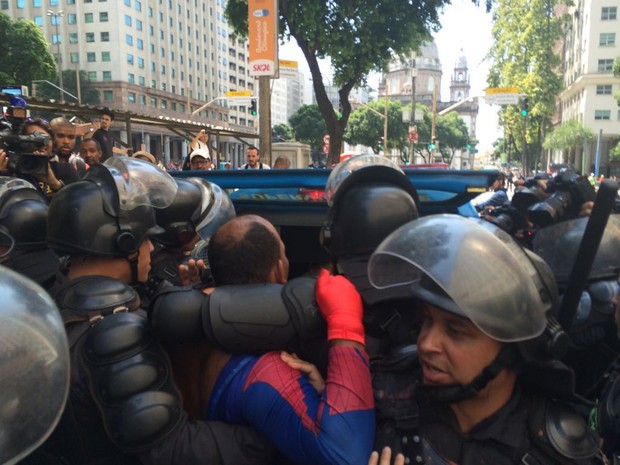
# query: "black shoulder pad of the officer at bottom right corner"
[[566, 431]]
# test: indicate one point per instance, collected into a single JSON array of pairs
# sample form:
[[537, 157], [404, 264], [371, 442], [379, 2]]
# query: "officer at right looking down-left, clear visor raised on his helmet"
[[489, 383]]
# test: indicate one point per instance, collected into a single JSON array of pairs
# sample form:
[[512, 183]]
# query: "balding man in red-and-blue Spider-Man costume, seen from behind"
[[280, 395]]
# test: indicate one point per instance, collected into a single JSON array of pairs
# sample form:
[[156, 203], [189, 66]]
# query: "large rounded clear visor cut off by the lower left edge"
[[34, 366]]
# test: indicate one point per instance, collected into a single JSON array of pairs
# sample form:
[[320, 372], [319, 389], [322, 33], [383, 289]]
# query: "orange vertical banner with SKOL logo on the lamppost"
[[263, 37]]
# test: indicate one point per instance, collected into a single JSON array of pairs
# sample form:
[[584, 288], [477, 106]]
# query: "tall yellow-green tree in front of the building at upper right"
[[525, 33]]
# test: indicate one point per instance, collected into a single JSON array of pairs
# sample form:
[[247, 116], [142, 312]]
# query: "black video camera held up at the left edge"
[[19, 150]]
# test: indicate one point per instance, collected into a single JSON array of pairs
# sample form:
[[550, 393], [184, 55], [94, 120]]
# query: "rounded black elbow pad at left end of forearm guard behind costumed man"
[[175, 314]]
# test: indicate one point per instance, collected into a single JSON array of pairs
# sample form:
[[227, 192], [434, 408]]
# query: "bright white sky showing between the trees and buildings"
[[466, 27]]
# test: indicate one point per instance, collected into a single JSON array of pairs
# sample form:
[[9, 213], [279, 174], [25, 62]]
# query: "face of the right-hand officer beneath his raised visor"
[[452, 349]]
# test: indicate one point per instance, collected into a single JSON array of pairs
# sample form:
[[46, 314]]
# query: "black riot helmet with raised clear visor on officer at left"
[[111, 211]]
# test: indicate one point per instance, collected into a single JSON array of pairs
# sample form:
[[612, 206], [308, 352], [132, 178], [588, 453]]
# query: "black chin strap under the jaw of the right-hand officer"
[[452, 393]]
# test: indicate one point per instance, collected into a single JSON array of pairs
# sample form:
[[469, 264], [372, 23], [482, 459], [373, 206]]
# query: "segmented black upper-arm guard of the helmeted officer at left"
[[130, 378]]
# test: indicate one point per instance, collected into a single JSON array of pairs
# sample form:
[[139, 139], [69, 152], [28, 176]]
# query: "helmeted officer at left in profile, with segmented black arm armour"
[[123, 404]]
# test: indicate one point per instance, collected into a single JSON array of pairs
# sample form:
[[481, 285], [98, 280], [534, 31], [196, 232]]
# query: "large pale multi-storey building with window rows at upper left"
[[161, 57]]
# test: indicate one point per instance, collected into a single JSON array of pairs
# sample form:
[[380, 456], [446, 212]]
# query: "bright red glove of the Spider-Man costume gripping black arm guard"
[[341, 307]]
